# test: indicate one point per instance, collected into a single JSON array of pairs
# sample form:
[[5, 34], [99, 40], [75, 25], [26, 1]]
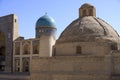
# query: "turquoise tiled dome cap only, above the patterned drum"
[[45, 21]]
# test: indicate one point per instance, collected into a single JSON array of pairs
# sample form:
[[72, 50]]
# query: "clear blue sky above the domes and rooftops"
[[63, 11]]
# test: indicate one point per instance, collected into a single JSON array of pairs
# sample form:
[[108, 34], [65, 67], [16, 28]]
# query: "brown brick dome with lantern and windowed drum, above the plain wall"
[[89, 34]]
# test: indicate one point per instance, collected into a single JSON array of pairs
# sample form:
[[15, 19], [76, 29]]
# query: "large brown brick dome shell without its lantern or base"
[[87, 28]]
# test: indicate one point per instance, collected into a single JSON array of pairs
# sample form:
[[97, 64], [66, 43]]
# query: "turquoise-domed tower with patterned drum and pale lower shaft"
[[46, 31]]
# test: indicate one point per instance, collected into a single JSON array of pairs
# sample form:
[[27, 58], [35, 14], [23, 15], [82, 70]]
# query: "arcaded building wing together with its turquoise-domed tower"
[[40, 46]]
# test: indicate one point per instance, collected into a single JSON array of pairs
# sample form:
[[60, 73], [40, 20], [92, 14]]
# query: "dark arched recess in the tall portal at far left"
[[2, 51]]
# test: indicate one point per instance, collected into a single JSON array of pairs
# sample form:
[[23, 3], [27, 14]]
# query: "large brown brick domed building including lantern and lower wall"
[[88, 49]]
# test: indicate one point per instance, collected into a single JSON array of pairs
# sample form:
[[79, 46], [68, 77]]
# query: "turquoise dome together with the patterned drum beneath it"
[[45, 26]]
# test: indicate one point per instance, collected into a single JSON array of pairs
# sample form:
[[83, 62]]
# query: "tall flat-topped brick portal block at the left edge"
[[8, 33]]
